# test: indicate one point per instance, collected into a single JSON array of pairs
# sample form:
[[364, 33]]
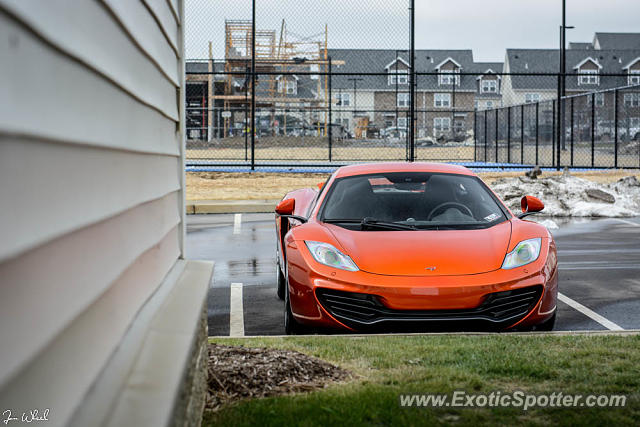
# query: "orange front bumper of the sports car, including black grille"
[[359, 301]]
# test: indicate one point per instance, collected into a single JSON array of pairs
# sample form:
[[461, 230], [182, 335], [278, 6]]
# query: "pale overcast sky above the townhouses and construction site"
[[486, 26]]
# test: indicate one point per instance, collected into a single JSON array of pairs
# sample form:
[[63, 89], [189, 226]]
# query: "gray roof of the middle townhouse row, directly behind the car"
[[375, 60]]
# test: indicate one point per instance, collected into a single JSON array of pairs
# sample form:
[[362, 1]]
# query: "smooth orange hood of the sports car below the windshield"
[[426, 252]]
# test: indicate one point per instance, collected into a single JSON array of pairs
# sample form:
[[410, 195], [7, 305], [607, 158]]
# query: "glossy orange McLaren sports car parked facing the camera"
[[412, 247]]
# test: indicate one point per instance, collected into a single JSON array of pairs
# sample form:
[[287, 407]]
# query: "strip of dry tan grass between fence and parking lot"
[[272, 186]]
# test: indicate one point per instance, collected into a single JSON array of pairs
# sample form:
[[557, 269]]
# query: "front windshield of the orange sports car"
[[414, 200]]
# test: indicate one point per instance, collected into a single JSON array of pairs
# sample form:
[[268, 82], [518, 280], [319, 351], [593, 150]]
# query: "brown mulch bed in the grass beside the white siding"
[[237, 373]]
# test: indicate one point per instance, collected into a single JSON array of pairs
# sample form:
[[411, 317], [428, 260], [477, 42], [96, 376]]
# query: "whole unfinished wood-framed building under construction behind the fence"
[[285, 99]]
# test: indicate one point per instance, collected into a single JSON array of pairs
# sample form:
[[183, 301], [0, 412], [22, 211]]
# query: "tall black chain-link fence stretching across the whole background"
[[315, 94]]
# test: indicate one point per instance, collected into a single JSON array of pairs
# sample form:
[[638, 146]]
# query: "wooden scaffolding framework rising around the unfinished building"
[[287, 54]]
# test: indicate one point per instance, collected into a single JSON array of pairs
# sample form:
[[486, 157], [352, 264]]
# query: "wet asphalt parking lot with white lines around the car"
[[599, 262]]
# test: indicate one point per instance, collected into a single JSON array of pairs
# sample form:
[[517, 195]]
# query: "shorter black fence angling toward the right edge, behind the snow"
[[598, 129]]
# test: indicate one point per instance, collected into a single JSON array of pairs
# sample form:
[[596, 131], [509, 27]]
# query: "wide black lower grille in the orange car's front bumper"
[[498, 310]]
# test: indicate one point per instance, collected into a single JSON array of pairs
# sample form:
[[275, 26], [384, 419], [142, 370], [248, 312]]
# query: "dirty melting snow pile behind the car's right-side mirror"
[[572, 196]]
